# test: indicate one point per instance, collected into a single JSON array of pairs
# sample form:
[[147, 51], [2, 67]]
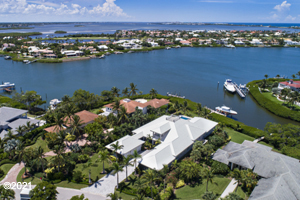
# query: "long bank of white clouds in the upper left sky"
[[41, 7]]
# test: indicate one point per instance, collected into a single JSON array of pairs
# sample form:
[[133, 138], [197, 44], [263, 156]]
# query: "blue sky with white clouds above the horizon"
[[269, 11]]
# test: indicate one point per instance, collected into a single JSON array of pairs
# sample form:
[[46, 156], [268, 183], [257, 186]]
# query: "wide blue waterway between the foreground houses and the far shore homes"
[[194, 72]]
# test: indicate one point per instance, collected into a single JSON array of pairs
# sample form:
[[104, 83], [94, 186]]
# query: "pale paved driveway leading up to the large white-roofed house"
[[107, 184]]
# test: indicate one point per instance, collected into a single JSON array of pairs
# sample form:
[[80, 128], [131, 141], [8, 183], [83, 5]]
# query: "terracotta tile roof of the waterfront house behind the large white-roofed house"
[[131, 105]]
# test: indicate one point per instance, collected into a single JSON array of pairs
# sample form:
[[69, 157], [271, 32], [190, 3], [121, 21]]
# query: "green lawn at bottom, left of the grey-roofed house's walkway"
[[196, 192]]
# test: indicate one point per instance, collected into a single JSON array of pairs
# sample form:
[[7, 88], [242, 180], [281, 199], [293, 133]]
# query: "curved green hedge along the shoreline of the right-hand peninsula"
[[271, 106]]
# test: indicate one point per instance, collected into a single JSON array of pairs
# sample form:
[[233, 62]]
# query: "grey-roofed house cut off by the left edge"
[[12, 118]]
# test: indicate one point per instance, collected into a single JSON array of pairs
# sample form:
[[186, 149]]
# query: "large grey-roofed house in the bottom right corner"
[[279, 173]]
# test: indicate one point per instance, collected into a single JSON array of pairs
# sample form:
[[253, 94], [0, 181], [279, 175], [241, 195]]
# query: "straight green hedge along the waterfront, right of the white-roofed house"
[[248, 130]]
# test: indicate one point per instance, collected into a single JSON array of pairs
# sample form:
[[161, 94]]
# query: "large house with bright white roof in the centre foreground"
[[176, 134]]
